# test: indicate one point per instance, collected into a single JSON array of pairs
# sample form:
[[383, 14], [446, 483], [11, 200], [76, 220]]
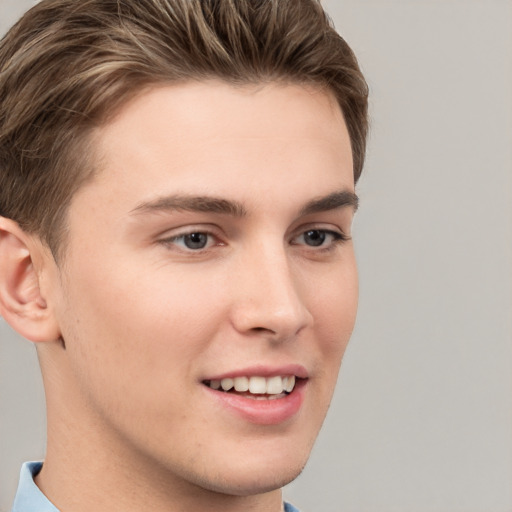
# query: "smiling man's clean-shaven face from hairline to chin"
[[212, 249]]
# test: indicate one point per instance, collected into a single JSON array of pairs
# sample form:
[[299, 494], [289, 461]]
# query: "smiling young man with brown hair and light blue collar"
[[176, 197]]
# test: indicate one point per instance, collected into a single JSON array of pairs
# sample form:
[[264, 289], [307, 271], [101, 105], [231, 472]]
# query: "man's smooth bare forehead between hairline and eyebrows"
[[211, 137]]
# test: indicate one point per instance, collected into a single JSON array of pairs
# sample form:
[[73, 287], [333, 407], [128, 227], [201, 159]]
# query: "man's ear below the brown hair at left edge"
[[22, 304]]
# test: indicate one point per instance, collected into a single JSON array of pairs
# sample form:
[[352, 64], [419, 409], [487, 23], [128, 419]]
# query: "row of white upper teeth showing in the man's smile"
[[256, 385]]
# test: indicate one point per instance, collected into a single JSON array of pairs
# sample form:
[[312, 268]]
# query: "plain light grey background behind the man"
[[422, 417]]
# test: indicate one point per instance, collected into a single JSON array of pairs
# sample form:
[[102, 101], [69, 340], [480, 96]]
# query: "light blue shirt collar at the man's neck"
[[30, 499]]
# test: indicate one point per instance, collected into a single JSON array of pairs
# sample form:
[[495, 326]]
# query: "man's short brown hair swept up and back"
[[68, 65]]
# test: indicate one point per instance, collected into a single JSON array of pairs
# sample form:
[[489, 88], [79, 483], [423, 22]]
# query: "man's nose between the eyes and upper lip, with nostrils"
[[269, 296]]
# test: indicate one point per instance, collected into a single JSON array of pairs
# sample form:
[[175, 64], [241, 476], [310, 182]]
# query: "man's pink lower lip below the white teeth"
[[263, 412]]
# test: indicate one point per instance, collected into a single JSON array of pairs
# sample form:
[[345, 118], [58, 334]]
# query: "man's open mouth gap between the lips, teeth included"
[[255, 387]]
